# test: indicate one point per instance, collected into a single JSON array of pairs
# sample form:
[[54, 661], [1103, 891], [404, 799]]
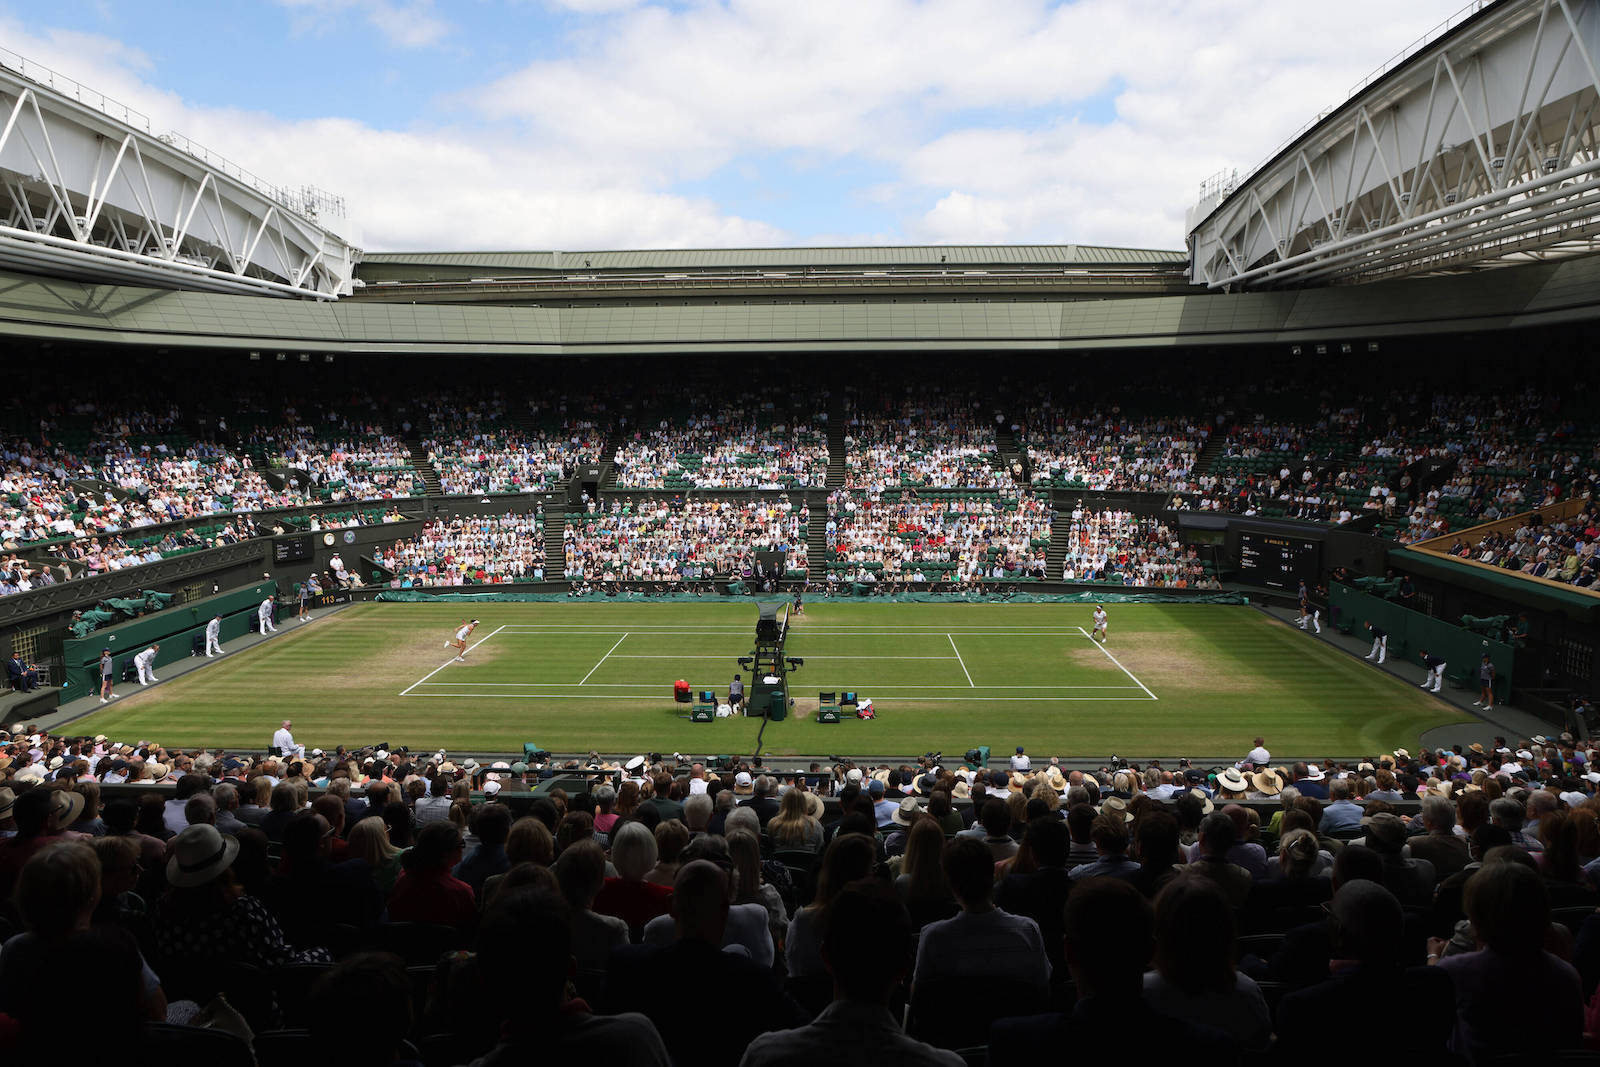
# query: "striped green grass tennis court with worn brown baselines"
[[1174, 679]]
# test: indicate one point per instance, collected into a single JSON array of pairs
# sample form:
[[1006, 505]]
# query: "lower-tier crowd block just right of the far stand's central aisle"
[[898, 537]]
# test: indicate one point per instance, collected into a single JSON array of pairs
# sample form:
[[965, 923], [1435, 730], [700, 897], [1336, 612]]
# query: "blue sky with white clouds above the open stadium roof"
[[705, 124]]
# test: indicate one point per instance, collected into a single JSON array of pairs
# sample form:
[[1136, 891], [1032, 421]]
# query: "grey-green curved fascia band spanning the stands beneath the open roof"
[[1534, 295]]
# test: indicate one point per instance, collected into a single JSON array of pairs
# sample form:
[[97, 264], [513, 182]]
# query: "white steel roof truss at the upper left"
[[86, 193]]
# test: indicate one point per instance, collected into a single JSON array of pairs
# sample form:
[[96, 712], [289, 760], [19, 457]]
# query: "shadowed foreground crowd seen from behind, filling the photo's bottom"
[[1228, 911]]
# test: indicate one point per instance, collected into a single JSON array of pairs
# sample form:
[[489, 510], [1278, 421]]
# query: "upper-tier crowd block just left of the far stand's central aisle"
[[756, 441]]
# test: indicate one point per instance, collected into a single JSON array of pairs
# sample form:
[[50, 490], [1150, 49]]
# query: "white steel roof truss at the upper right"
[[1479, 151]]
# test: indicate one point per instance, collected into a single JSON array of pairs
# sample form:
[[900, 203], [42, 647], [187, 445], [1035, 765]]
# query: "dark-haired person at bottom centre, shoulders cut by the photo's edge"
[[868, 949]]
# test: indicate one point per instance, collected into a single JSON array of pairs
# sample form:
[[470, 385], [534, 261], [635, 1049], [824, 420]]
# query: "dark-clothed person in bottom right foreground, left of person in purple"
[[1369, 932]]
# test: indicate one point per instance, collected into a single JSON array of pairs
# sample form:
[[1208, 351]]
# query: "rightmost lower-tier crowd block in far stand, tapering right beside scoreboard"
[[1114, 546]]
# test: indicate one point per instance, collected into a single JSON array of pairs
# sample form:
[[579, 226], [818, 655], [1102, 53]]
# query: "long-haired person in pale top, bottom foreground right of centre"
[[1194, 975]]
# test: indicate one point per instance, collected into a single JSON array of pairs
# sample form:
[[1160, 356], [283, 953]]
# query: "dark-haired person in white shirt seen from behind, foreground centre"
[[982, 941]]
